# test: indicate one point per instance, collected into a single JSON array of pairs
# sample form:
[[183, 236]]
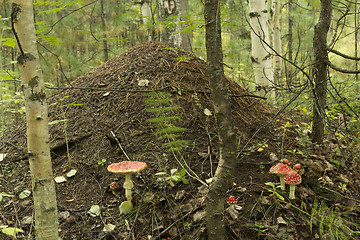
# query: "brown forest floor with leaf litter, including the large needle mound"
[[116, 97]]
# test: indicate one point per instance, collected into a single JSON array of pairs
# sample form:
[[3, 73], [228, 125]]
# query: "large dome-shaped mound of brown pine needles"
[[112, 98]]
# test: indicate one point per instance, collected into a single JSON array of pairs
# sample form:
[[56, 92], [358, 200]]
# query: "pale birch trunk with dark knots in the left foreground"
[[43, 187]]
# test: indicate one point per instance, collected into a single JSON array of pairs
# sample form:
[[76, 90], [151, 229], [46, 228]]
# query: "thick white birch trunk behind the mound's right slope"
[[260, 52]]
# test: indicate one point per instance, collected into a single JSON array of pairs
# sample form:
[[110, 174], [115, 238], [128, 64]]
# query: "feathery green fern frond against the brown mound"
[[161, 106]]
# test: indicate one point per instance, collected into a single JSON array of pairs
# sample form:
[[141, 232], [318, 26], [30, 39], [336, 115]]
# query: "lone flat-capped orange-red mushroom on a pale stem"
[[127, 168]]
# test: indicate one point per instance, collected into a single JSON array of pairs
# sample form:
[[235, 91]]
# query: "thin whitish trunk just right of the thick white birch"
[[277, 61]]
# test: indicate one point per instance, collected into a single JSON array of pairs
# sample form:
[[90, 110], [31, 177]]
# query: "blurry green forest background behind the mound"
[[76, 36]]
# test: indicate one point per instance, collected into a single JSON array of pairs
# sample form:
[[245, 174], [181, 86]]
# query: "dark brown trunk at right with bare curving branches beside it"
[[320, 70]]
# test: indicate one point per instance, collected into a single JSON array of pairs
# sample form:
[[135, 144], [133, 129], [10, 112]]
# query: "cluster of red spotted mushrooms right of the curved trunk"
[[288, 175]]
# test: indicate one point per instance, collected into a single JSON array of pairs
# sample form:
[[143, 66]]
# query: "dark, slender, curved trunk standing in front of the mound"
[[216, 196]]
